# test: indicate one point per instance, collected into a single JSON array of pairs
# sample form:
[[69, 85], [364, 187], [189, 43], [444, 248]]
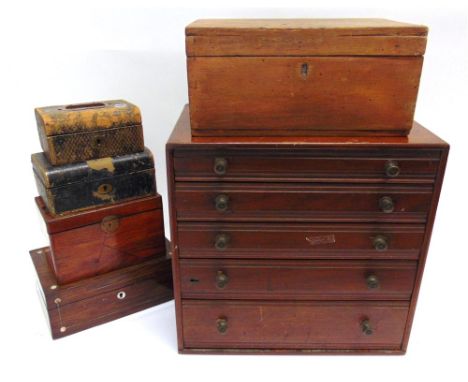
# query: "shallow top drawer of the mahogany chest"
[[395, 166]]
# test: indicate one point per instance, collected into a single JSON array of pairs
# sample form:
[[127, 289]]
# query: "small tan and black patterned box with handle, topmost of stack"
[[75, 133]]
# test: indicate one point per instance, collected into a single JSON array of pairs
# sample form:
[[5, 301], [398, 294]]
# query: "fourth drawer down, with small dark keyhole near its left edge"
[[297, 279]]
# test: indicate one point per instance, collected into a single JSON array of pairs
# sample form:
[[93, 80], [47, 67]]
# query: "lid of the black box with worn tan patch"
[[92, 170]]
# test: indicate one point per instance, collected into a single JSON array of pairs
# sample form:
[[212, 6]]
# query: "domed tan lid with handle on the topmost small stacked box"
[[82, 117]]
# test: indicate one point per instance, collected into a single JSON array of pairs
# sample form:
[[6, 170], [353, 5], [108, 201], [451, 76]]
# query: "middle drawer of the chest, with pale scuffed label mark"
[[290, 240]]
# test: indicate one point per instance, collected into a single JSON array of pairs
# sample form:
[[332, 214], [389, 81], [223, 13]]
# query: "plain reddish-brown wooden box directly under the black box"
[[97, 241]]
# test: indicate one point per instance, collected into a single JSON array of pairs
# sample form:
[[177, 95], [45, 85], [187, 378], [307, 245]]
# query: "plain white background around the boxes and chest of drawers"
[[56, 54]]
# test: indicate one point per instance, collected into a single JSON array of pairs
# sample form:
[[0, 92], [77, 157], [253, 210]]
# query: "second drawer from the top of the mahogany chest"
[[261, 202]]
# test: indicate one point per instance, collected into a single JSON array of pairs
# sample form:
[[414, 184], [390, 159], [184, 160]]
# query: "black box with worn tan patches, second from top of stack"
[[93, 183]]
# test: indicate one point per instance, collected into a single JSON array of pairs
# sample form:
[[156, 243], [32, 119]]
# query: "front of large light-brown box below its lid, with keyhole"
[[301, 96]]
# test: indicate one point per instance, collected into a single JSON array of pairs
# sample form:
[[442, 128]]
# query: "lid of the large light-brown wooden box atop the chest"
[[304, 37]]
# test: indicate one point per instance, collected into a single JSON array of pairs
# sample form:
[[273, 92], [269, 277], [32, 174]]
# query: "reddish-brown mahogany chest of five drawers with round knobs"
[[300, 245]]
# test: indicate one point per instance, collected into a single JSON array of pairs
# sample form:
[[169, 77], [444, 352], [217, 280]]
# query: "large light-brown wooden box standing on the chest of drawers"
[[303, 77]]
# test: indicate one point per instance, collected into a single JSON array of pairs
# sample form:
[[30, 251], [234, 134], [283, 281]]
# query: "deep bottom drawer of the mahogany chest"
[[293, 325]]
